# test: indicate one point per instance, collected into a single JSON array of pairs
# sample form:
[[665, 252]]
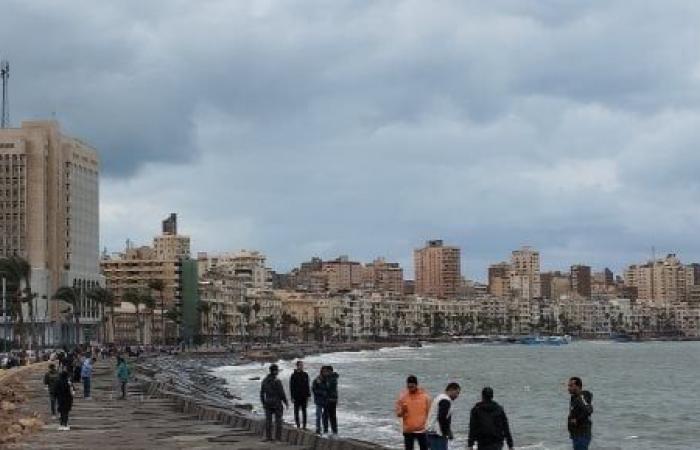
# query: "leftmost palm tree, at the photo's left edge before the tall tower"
[[16, 270]]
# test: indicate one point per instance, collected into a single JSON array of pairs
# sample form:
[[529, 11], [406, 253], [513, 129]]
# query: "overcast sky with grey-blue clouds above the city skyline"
[[305, 128]]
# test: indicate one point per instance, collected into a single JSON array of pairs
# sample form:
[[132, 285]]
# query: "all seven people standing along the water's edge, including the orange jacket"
[[425, 421]]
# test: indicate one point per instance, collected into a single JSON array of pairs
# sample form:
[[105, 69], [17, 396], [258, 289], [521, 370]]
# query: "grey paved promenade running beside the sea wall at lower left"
[[138, 423]]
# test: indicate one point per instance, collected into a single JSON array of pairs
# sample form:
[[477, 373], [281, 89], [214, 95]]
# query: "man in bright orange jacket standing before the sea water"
[[413, 407]]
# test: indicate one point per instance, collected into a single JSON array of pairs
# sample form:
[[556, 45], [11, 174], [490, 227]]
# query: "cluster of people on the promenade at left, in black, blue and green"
[[76, 367]]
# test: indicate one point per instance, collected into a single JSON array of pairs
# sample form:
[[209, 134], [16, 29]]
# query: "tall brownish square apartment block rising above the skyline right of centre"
[[438, 270]]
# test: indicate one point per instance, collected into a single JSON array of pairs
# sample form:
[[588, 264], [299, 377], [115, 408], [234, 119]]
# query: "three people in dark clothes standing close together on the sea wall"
[[324, 389]]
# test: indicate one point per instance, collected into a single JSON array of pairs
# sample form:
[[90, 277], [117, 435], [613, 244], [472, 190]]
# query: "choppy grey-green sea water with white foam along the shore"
[[646, 395]]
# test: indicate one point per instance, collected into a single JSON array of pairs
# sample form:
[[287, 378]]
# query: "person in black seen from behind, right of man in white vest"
[[488, 424]]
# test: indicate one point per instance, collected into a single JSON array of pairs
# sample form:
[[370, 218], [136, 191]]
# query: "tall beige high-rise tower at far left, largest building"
[[49, 215]]
